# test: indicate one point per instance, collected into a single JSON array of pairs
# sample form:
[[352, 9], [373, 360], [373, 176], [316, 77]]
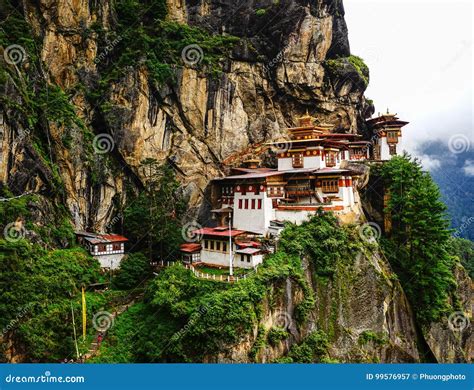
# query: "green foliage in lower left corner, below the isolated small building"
[[37, 289]]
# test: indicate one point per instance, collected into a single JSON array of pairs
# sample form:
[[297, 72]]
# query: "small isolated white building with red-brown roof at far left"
[[109, 249]]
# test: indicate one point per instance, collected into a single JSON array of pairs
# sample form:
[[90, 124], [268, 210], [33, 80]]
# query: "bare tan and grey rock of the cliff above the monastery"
[[275, 73]]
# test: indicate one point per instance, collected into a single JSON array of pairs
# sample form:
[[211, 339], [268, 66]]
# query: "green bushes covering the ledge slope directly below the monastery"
[[188, 319]]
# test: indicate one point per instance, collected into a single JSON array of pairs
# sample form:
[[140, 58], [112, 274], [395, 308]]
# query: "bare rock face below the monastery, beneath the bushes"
[[363, 310]]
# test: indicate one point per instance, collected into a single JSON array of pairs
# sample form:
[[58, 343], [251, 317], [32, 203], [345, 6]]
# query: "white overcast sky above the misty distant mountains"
[[420, 57]]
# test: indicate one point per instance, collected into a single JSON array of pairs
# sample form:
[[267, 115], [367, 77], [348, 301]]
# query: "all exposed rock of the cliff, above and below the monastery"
[[75, 136]]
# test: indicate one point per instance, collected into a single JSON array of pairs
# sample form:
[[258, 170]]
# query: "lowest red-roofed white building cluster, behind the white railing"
[[215, 244]]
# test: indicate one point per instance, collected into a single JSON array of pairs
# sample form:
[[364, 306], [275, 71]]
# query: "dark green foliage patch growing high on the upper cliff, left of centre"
[[143, 35]]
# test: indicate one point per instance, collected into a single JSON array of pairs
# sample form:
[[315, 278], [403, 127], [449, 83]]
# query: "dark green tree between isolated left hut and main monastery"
[[152, 219]]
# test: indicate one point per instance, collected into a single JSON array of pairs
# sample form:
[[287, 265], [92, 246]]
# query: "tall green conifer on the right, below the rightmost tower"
[[418, 245]]
